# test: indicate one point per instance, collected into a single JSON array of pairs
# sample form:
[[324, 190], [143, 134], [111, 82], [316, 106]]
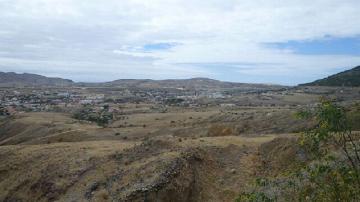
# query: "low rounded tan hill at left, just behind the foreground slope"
[[45, 128]]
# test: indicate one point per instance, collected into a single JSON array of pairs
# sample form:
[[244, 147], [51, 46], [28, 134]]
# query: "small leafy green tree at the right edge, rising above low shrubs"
[[334, 129]]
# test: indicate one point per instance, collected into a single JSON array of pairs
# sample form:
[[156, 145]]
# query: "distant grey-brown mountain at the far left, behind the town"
[[11, 79]]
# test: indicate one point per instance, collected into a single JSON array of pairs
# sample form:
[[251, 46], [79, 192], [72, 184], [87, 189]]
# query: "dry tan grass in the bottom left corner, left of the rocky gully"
[[46, 171]]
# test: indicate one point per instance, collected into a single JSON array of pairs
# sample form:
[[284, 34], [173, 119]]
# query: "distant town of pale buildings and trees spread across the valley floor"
[[66, 100]]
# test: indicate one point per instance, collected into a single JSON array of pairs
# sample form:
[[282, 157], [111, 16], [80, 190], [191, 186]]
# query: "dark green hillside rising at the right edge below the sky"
[[349, 78]]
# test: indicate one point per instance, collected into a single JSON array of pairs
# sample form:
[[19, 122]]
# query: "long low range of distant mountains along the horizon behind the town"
[[20, 80]]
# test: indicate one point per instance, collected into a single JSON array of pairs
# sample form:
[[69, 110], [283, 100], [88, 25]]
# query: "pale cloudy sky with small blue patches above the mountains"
[[253, 41]]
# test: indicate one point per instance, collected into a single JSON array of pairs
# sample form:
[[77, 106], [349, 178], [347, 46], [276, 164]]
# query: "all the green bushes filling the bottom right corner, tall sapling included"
[[334, 171]]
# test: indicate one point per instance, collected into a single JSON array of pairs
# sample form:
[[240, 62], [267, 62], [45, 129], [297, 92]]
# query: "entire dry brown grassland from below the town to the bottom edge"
[[207, 153]]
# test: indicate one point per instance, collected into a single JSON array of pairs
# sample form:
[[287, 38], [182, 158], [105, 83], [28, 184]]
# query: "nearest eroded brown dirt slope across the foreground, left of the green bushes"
[[159, 169]]
